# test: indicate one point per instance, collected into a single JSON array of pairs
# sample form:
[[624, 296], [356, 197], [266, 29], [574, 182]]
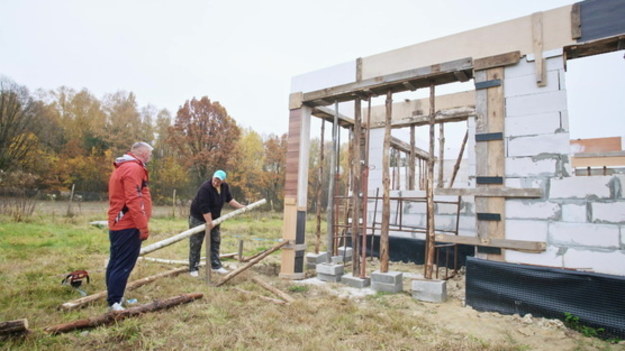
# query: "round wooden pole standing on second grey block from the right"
[[386, 202]]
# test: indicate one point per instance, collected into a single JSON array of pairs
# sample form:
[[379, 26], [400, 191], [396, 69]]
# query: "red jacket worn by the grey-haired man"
[[130, 203]]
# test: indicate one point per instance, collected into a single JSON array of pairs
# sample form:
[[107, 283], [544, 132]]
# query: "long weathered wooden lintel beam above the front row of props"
[[420, 77]]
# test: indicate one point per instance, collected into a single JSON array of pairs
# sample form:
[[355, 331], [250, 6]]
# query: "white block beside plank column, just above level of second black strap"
[[545, 123]]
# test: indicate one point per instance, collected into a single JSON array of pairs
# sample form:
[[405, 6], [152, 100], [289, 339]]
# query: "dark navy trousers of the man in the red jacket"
[[125, 247]]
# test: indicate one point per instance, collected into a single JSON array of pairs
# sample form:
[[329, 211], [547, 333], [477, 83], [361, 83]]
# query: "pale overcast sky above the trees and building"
[[240, 53]]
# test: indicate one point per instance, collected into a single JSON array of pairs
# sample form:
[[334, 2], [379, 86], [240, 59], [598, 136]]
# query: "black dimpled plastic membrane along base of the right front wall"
[[598, 300]]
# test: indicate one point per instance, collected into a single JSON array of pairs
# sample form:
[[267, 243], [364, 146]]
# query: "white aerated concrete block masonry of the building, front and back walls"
[[580, 218]]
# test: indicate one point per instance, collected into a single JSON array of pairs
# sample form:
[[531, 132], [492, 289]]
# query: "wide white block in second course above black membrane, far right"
[[584, 234]]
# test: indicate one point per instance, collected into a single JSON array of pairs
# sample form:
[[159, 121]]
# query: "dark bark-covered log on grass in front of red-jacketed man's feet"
[[116, 316]]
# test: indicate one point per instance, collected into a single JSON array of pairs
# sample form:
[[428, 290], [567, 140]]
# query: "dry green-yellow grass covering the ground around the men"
[[34, 257]]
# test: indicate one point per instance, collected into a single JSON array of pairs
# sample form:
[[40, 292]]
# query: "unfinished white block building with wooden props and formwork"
[[544, 238]]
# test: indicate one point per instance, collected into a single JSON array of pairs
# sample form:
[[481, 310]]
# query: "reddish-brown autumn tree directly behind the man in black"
[[205, 137]]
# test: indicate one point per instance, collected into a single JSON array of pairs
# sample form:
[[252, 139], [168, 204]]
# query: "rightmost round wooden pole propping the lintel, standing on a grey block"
[[429, 189]]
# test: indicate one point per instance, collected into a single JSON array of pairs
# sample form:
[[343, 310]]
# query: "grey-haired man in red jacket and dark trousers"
[[130, 208]]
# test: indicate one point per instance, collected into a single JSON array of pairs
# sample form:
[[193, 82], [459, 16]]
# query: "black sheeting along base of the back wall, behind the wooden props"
[[413, 250]]
